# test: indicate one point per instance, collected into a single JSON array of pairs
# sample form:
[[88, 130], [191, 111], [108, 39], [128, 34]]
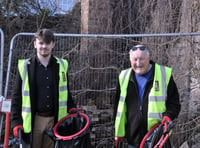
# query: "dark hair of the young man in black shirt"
[[45, 34]]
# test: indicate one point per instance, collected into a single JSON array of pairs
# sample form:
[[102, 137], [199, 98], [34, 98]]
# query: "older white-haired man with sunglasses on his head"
[[146, 94]]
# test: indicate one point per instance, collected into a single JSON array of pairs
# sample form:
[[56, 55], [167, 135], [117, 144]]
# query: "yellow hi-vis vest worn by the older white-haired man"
[[157, 98]]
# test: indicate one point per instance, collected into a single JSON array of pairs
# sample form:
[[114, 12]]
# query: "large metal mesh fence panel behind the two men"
[[95, 62]]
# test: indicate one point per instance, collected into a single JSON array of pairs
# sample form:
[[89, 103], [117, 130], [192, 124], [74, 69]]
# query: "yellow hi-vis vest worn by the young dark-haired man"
[[26, 101]]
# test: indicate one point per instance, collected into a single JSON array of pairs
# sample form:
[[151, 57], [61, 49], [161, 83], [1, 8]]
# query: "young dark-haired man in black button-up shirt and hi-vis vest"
[[41, 95]]
